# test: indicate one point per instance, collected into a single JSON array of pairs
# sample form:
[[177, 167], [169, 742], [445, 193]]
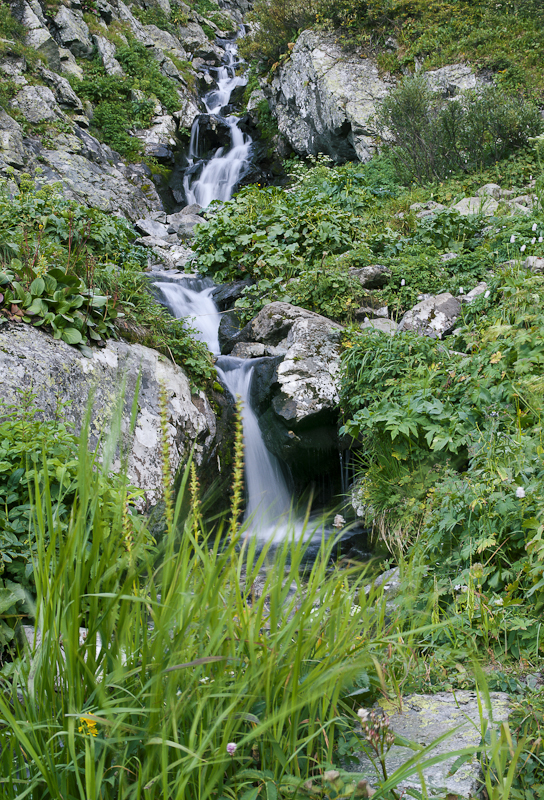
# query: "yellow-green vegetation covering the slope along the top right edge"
[[506, 38]]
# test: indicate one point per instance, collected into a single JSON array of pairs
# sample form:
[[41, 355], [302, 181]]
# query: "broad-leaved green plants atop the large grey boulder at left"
[[75, 271]]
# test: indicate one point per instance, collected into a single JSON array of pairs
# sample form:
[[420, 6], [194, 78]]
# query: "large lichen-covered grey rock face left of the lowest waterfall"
[[55, 372]]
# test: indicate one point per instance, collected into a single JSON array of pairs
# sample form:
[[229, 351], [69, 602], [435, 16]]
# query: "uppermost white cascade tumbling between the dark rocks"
[[217, 177]]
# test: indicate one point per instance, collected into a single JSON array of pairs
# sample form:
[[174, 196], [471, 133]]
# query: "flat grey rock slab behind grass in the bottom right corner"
[[426, 717]]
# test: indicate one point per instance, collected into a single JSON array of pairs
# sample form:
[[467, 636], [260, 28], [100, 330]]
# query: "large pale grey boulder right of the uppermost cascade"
[[324, 98]]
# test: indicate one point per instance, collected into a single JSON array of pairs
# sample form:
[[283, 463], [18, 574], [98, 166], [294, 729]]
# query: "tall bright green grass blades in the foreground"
[[141, 701]]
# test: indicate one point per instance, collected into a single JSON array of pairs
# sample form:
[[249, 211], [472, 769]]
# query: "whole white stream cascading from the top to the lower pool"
[[270, 511]]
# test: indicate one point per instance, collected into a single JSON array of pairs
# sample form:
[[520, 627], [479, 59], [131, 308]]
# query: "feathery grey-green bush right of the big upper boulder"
[[431, 137]]
